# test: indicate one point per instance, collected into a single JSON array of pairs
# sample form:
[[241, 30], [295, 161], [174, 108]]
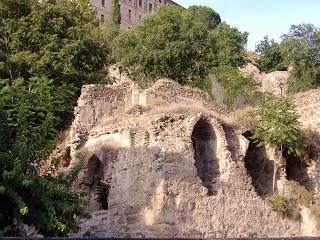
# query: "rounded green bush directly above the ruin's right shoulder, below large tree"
[[239, 90]]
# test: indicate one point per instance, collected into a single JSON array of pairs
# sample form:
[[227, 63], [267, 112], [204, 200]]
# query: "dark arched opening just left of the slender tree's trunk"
[[259, 167]]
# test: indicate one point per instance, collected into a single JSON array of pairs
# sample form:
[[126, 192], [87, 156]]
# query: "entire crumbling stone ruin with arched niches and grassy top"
[[165, 162]]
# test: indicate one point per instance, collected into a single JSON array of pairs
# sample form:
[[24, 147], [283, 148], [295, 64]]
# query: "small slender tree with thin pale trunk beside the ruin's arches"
[[280, 129]]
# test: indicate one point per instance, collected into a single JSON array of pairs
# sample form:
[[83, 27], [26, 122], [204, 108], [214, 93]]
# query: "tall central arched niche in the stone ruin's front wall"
[[205, 146]]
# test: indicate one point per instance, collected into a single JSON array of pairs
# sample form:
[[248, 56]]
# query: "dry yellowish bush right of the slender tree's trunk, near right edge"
[[300, 194]]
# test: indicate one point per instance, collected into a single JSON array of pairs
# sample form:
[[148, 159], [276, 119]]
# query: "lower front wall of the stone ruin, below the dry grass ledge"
[[156, 189]]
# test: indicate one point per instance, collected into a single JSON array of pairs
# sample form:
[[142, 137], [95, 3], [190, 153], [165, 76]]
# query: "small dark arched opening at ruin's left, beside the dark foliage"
[[98, 187]]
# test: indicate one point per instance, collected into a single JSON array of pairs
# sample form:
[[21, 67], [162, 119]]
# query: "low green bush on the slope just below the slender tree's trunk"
[[279, 204]]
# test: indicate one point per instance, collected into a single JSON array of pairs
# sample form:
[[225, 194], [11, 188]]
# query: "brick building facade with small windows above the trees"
[[132, 11]]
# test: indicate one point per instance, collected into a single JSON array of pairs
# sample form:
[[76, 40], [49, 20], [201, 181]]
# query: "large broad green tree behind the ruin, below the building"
[[181, 44]]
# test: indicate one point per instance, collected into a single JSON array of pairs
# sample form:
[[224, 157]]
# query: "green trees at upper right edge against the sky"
[[300, 48]]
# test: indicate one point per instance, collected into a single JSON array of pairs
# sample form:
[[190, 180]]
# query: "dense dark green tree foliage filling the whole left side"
[[48, 50]]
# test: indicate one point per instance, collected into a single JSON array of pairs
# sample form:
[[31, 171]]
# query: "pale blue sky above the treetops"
[[263, 17]]
